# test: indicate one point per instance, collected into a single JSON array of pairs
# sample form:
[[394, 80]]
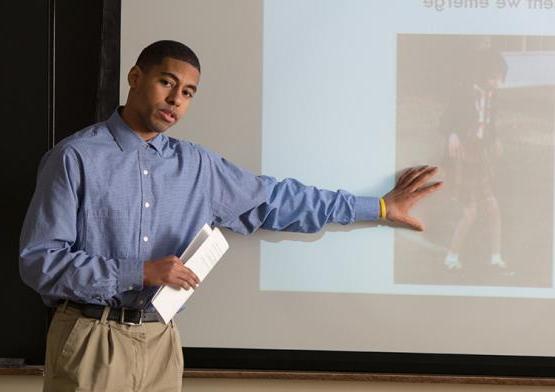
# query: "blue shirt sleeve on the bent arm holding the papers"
[[50, 261]]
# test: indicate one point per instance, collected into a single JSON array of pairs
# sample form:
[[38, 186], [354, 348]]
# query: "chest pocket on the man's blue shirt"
[[107, 233]]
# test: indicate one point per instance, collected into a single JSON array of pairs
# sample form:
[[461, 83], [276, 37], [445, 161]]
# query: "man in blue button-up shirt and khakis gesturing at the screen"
[[115, 203]]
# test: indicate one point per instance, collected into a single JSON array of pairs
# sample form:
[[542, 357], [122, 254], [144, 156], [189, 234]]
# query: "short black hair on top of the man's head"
[[156, 52]]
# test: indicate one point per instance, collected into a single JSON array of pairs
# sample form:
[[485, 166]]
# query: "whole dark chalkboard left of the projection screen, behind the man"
[[62, 64]]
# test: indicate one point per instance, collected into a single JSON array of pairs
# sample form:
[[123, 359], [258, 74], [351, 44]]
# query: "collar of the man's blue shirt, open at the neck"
[[127, 139]]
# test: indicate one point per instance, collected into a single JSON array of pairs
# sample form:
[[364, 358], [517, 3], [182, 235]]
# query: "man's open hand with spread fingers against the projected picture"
[[411, 186]]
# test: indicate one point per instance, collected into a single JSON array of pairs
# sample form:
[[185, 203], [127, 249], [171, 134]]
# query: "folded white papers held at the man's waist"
[[202, 254]]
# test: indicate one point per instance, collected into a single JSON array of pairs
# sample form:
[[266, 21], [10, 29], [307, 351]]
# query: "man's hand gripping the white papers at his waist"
[[171, 271]]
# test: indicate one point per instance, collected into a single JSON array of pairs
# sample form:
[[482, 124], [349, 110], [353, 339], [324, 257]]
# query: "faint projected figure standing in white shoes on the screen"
[[473, 145]]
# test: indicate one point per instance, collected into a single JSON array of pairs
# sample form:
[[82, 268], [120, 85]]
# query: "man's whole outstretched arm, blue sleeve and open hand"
[[244, 202]]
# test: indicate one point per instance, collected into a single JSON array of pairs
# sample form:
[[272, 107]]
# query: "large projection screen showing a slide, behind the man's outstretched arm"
[[344, 95]]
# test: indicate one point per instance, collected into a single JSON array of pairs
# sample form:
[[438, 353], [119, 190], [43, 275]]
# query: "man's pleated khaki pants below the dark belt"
[[84, 354]]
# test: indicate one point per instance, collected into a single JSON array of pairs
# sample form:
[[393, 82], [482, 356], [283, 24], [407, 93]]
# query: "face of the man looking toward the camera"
[[159, 97]]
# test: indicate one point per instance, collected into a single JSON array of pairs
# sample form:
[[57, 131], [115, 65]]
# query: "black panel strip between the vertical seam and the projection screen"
[[86, 63]]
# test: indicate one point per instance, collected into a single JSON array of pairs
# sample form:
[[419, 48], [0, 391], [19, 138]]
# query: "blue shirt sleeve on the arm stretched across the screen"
[[244, 203]]
